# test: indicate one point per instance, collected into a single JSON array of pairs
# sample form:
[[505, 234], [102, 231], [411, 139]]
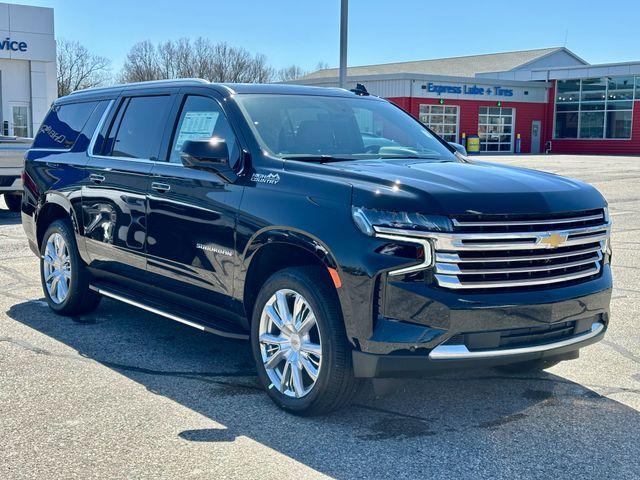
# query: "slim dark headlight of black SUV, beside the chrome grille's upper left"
[[366, 219]]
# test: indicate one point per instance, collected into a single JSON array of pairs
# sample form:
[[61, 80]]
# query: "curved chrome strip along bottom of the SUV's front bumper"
[[461, 352]]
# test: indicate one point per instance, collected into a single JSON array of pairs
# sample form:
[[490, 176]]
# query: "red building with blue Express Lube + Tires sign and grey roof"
[[529, 101]]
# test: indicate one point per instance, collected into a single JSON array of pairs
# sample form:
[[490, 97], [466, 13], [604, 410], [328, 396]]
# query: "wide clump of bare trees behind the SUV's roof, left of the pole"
[[201, 58]]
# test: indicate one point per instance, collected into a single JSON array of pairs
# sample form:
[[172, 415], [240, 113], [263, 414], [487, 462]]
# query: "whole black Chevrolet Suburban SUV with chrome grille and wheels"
[[332, 229]]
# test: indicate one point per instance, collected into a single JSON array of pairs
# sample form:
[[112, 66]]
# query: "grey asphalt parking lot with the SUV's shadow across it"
[[126, 394]]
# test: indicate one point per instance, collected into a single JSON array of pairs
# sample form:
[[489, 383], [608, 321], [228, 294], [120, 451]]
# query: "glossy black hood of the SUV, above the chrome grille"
[[456, 188]]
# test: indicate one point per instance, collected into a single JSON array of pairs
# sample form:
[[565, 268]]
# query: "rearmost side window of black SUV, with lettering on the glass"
[[63, 125]]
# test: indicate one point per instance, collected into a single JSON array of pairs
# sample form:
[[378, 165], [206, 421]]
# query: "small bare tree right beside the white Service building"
[[78, 68]]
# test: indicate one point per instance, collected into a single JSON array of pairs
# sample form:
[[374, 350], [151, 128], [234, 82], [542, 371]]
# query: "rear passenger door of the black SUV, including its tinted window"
[[114, 200]]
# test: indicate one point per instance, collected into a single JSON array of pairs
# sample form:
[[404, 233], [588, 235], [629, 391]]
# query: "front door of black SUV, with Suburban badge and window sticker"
[[192, 213]]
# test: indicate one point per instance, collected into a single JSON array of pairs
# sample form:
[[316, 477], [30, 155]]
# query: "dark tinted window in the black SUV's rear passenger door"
[[140, 130]]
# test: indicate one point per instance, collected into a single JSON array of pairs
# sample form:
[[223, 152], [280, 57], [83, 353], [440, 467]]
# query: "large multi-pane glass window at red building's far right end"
[[594, 108]]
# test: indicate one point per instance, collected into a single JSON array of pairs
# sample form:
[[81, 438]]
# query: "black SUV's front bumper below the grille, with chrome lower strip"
[[449, 335]]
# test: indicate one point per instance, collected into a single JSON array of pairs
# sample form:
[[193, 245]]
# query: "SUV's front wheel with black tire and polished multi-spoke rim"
[[300, 345]]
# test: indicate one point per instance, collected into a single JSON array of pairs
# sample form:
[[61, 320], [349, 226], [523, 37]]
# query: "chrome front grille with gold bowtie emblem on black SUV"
[[521, 251]]
